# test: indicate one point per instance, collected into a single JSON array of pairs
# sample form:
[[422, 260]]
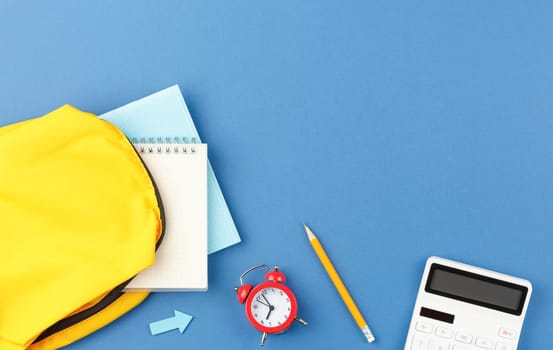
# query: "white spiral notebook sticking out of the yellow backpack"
[[179, 170]]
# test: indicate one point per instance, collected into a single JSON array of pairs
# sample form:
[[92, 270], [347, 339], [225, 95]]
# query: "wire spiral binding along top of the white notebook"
[[165, 144]]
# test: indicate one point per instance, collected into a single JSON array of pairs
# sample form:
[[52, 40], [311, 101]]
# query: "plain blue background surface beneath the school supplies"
[[396, 129]]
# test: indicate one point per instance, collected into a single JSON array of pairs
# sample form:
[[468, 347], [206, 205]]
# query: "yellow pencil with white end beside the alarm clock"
[[340, 287]]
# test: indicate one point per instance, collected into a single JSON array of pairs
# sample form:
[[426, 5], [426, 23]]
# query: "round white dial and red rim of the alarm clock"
[[271, 307]]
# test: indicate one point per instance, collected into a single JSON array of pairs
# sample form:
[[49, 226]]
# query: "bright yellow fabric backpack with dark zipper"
[[80, 216]]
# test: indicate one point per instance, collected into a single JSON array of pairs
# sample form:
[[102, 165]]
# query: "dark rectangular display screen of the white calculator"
[[476, 289]]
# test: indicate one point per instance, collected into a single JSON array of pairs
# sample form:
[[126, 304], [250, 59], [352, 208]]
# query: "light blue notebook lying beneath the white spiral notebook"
[[164, 114]]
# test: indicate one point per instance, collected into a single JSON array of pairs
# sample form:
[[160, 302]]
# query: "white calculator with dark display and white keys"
[[463, 307]]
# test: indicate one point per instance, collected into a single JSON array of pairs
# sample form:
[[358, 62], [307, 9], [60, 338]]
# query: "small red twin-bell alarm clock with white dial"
[[271, 307]]
